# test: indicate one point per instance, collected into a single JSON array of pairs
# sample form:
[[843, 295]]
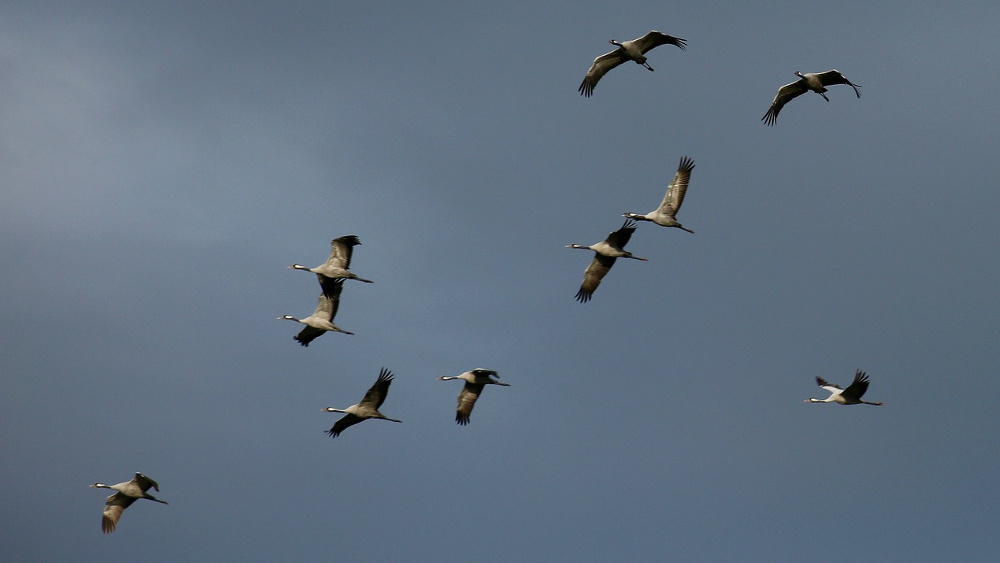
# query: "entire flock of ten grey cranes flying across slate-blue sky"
[[336, 270]]
